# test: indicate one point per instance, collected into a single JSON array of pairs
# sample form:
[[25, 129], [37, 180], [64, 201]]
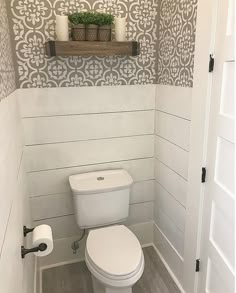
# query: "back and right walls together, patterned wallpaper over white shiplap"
[[74, 130]]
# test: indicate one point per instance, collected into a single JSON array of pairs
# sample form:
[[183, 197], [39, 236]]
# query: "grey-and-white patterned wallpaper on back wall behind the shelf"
[[33, 23]]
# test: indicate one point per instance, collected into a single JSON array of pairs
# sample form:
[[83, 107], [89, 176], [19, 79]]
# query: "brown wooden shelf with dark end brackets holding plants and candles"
[[74, 48]]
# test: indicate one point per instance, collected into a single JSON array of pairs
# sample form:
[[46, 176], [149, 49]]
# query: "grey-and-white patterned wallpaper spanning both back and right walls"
[[165, 24]]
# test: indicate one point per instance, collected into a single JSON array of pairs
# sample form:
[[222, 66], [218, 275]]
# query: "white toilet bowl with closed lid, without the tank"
[[115, 259]]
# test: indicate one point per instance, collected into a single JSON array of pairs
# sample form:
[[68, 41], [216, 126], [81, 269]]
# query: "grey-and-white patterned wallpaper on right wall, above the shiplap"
[[176, 41]]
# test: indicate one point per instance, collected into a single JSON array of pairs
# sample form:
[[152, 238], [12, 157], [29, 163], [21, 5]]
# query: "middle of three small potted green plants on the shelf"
[[91, 22]]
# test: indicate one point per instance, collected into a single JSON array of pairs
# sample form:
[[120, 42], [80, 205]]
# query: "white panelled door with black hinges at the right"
[[217, 244]]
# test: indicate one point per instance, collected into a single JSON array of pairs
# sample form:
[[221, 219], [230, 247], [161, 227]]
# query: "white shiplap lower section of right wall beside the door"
[[172, 131]]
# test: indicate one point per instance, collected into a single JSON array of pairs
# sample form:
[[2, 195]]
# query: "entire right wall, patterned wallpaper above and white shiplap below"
[[177, 27]]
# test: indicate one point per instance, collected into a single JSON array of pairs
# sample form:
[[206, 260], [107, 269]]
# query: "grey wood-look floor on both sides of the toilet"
[[76, 278]]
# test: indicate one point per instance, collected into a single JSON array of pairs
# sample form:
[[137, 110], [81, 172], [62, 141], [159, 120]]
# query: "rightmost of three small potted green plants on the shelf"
[[105, 22]]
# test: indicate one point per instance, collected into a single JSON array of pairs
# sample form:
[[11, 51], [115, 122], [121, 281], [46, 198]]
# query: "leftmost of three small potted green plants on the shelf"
[[77, 21]]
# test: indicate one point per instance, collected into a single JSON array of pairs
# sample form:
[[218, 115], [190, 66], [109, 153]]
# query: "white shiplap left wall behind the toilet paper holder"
[[16, 275]]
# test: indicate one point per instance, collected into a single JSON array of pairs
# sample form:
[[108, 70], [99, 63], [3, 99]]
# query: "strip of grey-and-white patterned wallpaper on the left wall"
[[7, 74]]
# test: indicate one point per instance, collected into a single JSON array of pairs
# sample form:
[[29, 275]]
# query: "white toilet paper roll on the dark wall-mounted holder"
[[43, 234]]
